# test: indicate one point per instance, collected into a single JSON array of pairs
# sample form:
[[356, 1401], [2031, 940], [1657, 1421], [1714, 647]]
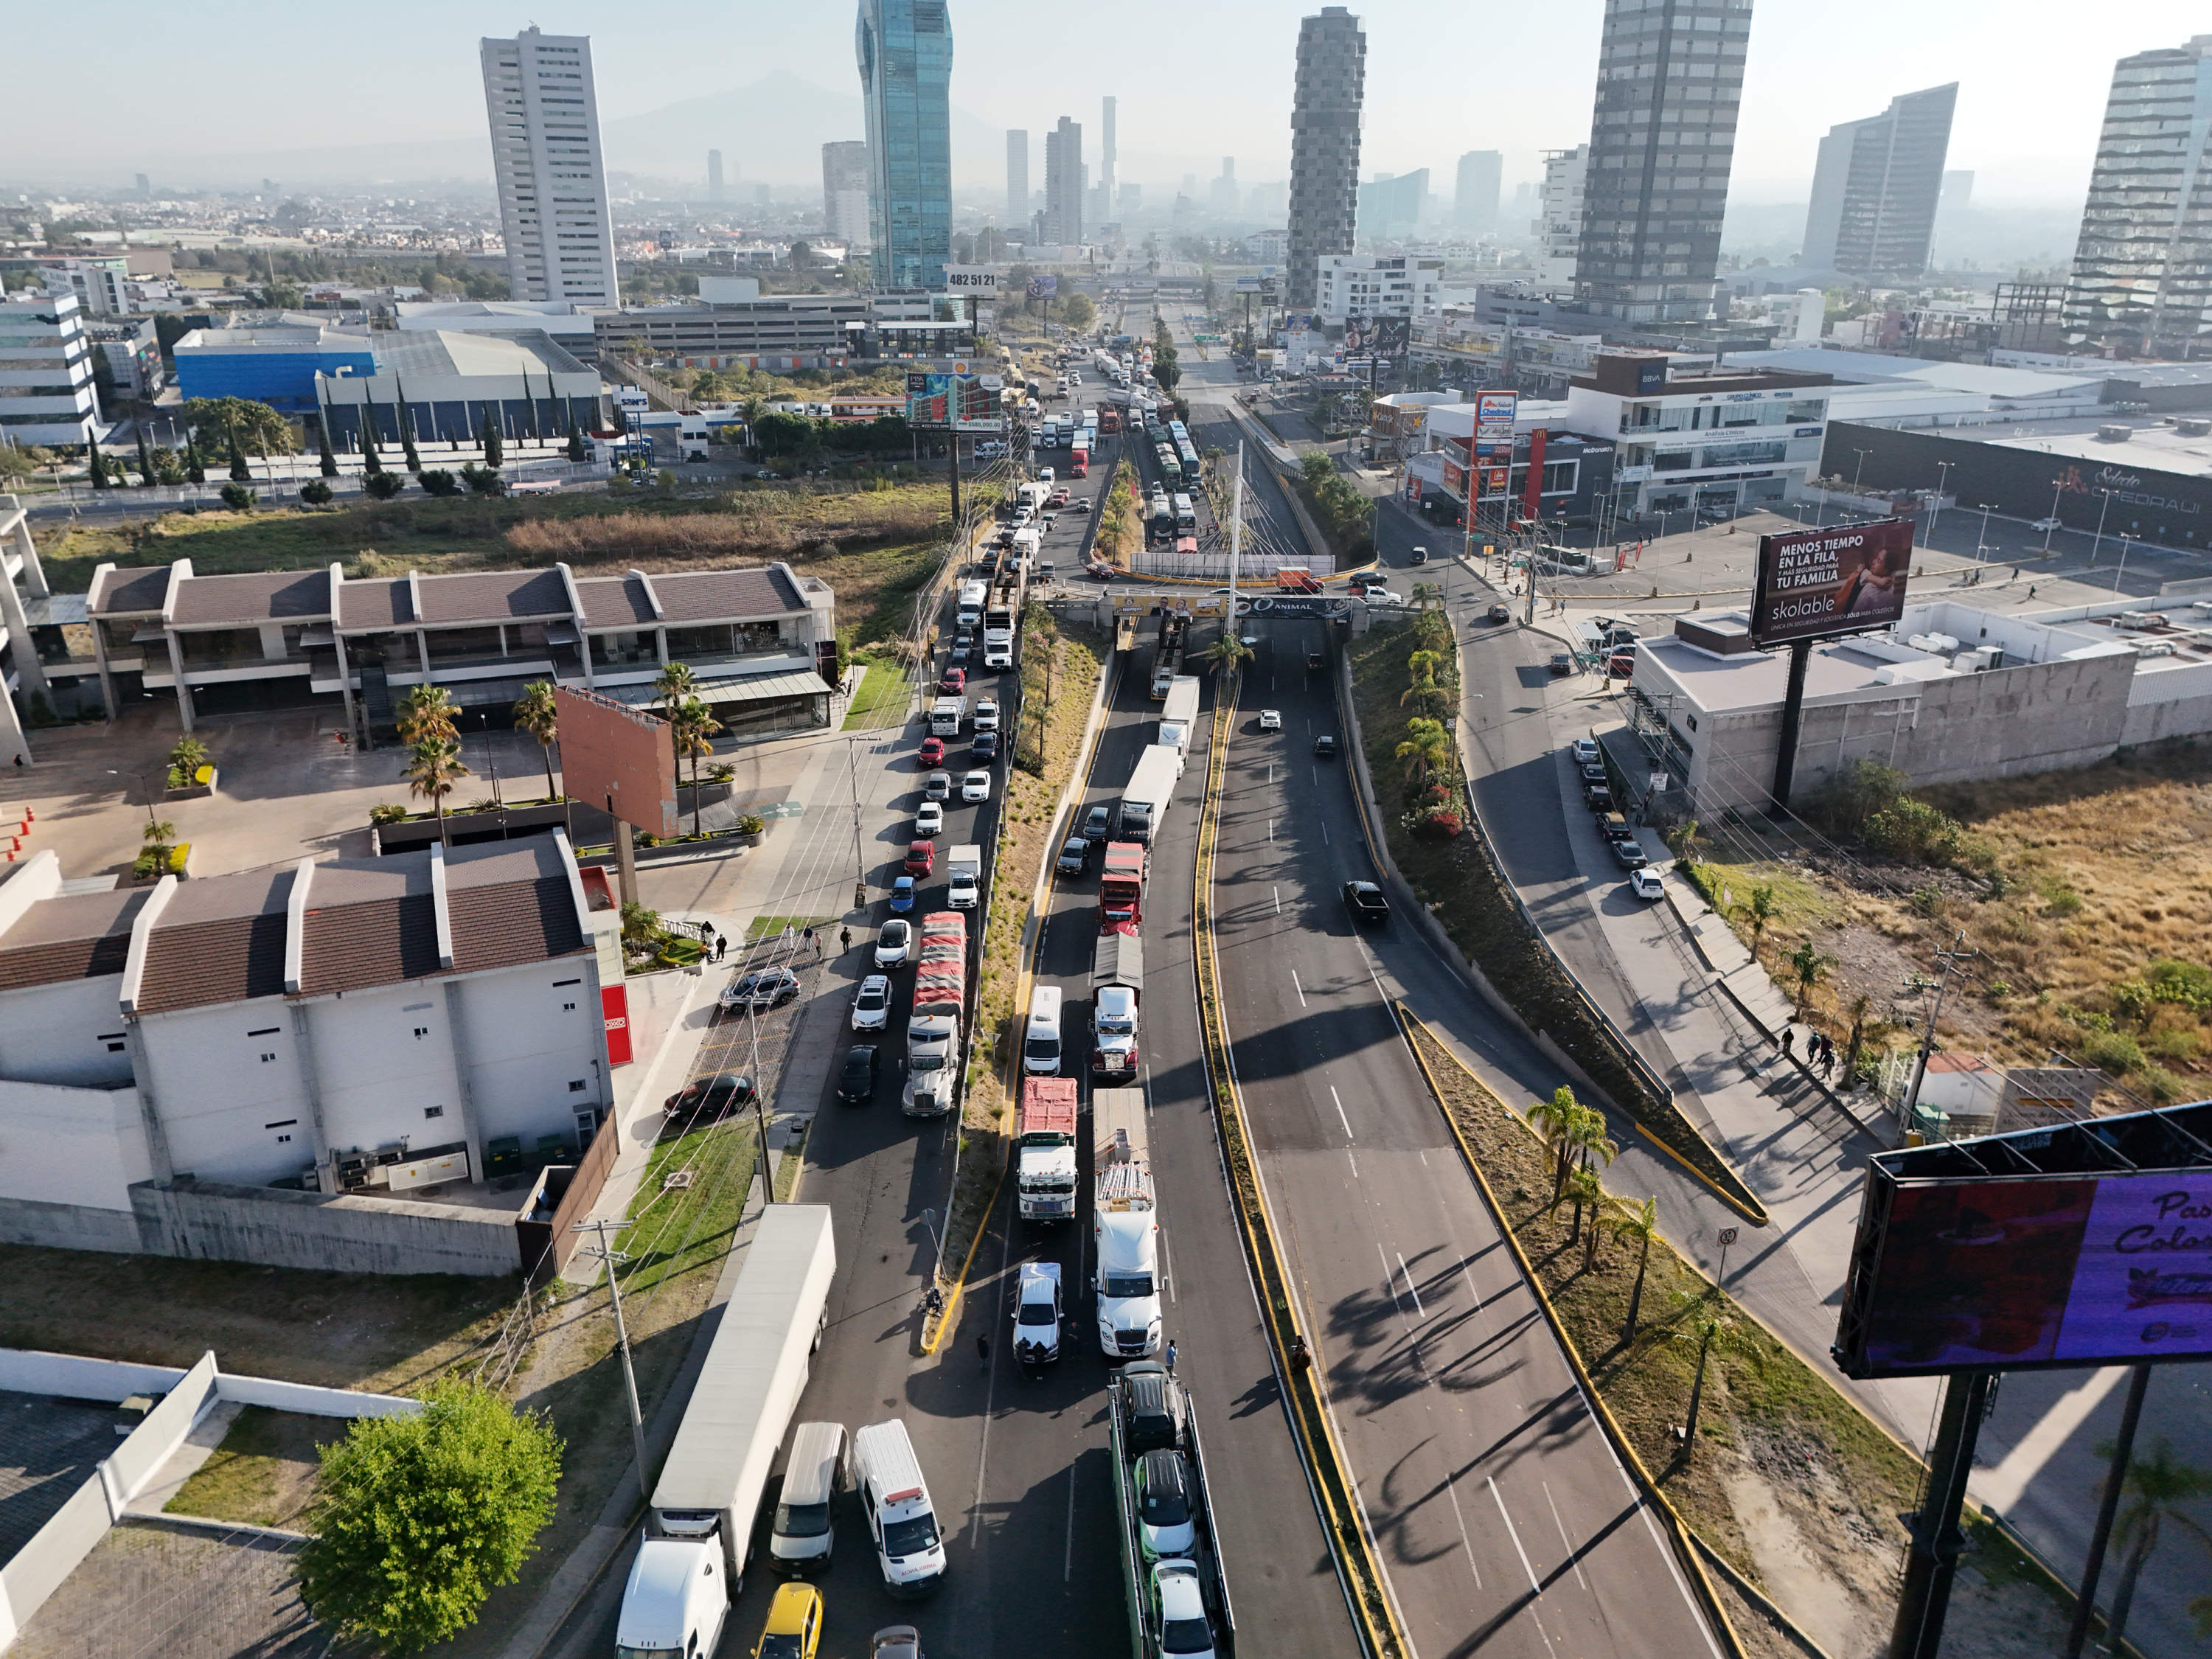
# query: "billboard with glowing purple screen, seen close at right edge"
[[2030, 1271]]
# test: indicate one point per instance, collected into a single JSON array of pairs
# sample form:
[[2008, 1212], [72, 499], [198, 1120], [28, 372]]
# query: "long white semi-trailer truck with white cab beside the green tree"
[[693, 1556]]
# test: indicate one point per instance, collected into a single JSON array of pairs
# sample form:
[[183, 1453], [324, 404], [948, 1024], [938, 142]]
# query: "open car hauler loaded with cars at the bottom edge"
[[1165, 1514]]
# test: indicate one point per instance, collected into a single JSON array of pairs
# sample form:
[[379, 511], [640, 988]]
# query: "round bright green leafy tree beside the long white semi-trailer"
[[421, 1516]]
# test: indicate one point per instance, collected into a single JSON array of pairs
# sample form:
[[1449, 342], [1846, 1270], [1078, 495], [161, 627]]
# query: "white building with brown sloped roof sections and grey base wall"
[[311, 1065]]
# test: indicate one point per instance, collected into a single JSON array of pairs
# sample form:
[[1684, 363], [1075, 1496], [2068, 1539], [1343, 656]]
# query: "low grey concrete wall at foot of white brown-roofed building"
[[322, 1231]]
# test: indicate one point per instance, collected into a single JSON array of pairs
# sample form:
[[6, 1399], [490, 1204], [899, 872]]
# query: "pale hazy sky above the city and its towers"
[[1196, 81]]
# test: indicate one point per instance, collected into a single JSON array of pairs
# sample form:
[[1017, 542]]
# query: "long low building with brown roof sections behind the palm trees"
[[304, 638]]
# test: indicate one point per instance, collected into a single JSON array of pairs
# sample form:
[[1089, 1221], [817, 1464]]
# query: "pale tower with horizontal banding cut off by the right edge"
[[2142, 280]]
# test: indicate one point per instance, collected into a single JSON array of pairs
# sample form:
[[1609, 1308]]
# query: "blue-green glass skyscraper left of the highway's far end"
[[906, 54]]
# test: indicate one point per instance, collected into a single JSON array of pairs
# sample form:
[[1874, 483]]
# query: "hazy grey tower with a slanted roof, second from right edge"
[[1875, 187]]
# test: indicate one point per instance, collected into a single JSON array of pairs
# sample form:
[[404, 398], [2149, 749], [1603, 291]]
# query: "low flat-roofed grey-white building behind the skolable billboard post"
[[1952, 696]]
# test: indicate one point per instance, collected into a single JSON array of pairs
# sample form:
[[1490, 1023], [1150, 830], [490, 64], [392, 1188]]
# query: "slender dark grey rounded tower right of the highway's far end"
[[1324, 147]]
